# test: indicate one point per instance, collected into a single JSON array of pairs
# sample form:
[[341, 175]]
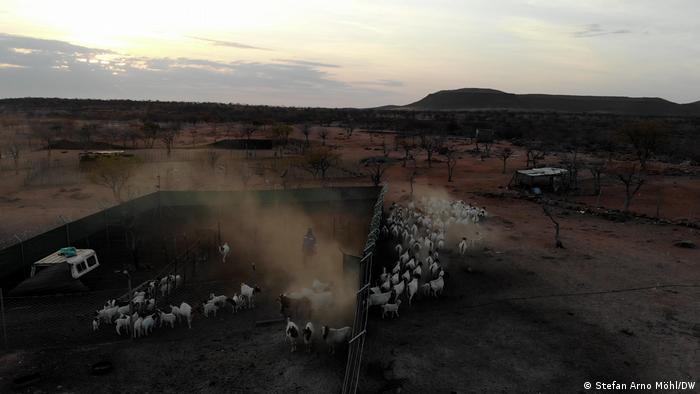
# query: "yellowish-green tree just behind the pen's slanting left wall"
[[114, 173]]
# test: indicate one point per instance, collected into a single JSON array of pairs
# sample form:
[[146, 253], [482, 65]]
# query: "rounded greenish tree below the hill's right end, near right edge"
[[647, 137]]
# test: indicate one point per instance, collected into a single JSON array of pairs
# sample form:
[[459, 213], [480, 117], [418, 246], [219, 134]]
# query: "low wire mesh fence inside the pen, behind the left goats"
[[66, 319]]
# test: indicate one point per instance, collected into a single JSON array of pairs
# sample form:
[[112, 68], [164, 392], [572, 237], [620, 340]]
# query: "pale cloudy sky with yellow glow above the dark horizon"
[[347, 53]]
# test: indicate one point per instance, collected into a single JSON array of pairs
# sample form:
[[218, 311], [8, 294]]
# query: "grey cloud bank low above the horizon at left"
[[49, 68]]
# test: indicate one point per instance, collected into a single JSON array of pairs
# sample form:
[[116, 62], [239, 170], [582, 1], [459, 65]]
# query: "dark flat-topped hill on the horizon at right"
[[490, 99]]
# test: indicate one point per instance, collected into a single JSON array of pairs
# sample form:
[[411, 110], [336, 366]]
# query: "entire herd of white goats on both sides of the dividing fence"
[[418, 233]]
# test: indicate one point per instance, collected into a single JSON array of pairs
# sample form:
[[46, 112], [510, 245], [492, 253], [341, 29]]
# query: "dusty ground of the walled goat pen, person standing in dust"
[[178, 233]]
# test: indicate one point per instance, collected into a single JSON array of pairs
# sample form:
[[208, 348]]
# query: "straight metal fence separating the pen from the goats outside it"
[[359, 326]]
